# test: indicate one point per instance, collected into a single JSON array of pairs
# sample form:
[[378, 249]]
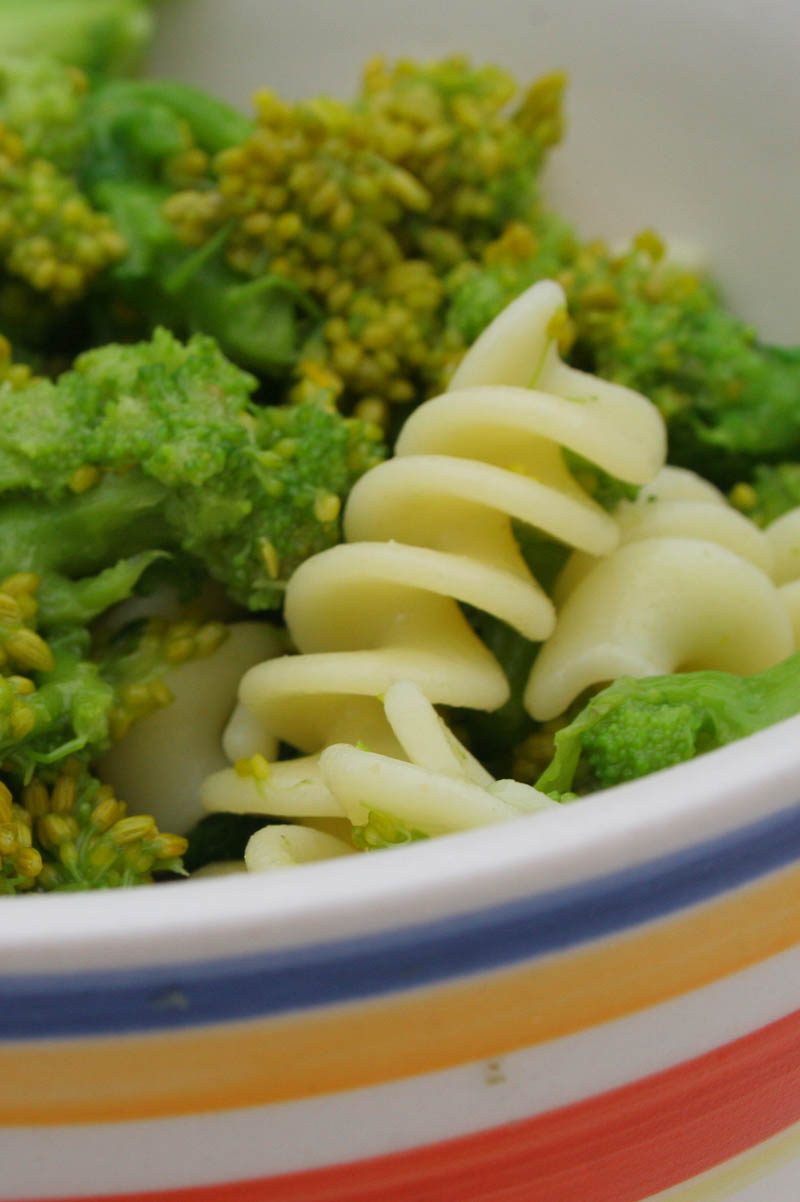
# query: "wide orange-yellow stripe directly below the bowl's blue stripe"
[[347, 1048]]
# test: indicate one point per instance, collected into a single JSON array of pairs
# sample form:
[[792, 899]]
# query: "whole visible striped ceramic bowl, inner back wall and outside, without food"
[[604, 1008]]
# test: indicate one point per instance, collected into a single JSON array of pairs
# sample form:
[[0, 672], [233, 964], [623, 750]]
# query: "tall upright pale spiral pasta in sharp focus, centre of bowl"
[[433, 528]]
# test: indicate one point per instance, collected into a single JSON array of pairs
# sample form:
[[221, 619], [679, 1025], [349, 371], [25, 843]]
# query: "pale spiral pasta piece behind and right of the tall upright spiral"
[[690, 587]]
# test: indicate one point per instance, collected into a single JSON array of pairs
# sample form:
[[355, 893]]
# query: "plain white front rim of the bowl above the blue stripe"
[[457, 874]]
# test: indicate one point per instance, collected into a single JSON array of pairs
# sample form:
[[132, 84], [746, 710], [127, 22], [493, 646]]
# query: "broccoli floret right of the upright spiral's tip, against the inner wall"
[[729, 400]]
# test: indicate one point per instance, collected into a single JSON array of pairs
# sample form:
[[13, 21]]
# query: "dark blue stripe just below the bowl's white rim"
[[105, 1003]]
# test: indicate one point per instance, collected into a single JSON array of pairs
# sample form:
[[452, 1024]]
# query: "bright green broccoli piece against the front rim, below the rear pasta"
[[636, 728]]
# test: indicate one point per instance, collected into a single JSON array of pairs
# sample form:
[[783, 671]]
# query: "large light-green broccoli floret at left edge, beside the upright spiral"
[[158, 448]]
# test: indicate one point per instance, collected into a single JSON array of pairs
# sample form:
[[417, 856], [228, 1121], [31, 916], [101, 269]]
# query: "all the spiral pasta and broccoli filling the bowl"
[[253, 312]]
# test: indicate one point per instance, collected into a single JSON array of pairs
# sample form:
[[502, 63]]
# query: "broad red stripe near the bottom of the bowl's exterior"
[[619, 1147]]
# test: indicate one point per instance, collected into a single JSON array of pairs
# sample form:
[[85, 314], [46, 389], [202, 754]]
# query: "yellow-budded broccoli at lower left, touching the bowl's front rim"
[[63, 703]]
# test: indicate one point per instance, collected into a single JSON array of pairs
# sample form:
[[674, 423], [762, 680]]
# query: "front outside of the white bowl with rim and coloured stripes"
[[601, 1009]]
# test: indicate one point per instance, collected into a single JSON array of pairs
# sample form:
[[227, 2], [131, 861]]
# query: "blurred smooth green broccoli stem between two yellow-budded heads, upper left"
[[148, 141]]
